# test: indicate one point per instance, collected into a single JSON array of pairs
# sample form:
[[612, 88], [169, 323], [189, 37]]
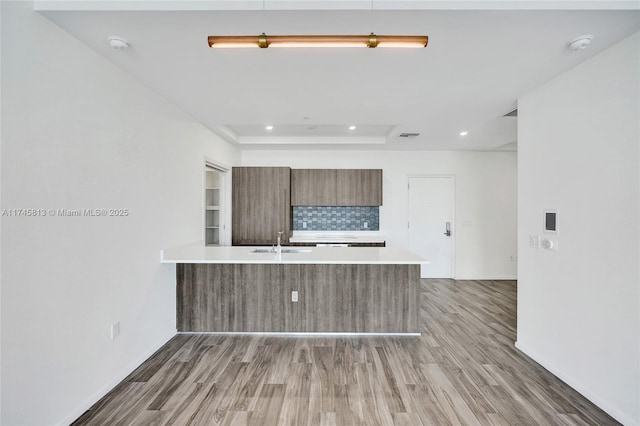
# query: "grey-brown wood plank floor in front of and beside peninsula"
[[463, 370]]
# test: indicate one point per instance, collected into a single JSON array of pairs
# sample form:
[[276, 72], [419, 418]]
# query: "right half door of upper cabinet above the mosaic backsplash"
[[359, 187]]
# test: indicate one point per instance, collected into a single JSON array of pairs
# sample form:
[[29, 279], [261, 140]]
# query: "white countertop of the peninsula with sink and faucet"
[[198, 253]]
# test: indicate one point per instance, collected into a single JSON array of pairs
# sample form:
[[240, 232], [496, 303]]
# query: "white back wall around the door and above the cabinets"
[[485, 198]]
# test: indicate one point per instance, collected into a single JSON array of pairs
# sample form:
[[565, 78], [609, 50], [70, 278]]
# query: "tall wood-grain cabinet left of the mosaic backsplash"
[[261, 201]]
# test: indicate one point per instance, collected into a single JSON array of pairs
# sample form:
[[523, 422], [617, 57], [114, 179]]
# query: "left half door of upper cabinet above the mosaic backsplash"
[[313, 187]]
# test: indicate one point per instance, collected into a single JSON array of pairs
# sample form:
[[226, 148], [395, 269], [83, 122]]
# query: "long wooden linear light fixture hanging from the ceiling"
[[371, 40]]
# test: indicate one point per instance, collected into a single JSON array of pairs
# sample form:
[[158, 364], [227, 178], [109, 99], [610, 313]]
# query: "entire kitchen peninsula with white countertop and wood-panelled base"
[[301, 290]]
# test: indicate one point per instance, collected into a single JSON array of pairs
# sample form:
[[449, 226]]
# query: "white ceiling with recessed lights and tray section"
[[477, 64]]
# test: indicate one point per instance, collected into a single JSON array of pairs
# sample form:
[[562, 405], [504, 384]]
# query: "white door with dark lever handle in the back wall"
[[431, 224]]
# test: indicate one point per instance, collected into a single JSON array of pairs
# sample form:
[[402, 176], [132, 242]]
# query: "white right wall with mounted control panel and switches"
[[578, 308]]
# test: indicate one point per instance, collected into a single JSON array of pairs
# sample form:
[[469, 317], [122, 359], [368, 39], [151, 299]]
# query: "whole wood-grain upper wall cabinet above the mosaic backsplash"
[[336, 187]]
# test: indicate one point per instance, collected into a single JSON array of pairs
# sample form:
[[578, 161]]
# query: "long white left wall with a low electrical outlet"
[[79, 133]]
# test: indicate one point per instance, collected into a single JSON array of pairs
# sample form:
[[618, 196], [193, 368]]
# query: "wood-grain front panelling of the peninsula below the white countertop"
[[332, 298]]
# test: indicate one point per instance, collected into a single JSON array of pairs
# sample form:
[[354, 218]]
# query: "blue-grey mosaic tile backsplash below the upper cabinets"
[[336, 218]]
